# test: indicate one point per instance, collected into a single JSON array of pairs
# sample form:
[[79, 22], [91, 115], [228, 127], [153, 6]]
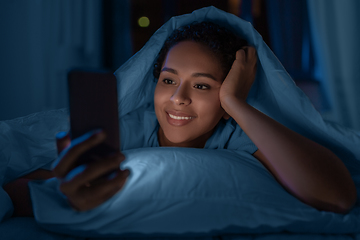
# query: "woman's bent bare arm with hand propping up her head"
[[308, 170]]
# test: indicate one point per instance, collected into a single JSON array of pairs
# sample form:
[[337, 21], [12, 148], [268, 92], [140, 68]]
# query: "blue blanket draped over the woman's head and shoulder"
[[273, 93]]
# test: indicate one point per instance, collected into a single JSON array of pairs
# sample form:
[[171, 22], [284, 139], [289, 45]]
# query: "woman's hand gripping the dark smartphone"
[[92, 185]]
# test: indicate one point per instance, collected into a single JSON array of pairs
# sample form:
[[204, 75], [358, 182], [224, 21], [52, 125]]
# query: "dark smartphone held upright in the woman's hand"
[[93, 104]]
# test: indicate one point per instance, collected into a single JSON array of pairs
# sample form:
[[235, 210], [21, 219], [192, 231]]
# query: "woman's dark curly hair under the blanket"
[[222, 42]]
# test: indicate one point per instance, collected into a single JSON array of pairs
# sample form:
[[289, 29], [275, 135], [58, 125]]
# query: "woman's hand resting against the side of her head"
[[241, 76]]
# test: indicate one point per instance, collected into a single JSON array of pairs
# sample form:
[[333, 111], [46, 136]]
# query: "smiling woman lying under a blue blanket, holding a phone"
[[204, 77]]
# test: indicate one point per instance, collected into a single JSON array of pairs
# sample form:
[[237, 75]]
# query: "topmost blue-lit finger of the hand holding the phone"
[[68, 158]]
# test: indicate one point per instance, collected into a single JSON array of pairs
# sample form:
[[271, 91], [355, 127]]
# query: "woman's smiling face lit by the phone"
[[187, 103]]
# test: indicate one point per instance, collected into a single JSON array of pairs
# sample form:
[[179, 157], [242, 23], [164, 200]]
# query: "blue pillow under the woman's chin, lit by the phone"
[[192, 192]]
